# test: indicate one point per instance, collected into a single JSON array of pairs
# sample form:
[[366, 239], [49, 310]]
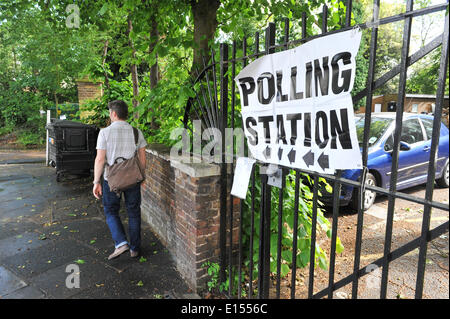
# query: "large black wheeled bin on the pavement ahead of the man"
[[72, 147]]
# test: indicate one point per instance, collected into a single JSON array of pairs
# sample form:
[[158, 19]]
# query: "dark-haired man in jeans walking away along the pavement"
[[117, 140]]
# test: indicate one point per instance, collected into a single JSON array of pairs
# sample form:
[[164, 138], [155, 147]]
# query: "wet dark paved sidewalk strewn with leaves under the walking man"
[[46, 226]]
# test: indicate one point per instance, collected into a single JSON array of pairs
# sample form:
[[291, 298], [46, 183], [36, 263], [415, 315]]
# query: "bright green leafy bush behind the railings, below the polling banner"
[[303, 233]]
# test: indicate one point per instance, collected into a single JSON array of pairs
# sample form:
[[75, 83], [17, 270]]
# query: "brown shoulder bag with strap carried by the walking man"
[[127, 173]]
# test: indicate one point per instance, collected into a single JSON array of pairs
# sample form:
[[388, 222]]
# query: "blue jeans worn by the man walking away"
[[111, 205]]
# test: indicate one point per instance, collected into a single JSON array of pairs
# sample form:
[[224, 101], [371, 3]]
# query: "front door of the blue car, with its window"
[[413, 162]]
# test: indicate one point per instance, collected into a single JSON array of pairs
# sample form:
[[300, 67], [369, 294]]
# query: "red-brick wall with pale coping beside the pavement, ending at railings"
[[181, 202]]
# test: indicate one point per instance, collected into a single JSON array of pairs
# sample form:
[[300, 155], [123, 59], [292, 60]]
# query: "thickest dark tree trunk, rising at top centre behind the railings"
[[205, 24]]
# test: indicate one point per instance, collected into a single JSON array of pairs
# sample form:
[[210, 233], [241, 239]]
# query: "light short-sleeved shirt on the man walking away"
[[118, 141]]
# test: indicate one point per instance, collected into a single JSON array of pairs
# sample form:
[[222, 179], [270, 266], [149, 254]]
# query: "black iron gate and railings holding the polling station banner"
[[213, 107]]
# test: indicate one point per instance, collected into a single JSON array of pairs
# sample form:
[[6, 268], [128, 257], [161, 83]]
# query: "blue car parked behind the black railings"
[[415, 144]]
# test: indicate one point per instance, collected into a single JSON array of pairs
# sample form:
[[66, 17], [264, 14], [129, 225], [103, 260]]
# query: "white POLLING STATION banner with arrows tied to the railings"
[[297, 110]]
